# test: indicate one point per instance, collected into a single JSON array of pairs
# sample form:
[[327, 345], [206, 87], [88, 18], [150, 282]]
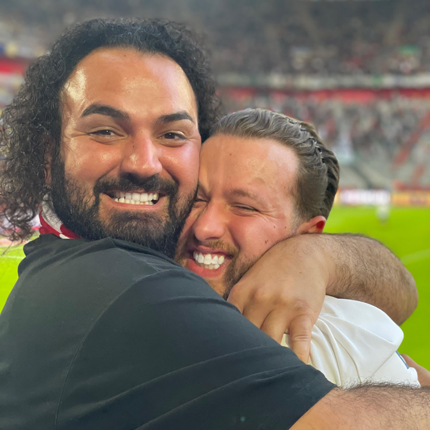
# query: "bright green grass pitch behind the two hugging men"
[[407, 234]]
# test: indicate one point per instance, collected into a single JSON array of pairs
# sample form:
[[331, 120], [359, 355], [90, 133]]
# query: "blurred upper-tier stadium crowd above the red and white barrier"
[[253, 37]]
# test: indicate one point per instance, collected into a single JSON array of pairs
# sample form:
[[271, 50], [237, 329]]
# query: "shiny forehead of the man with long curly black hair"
[[126, 79]]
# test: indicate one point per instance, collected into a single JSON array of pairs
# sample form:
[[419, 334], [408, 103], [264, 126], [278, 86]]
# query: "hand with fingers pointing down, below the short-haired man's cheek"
[[284, 292]]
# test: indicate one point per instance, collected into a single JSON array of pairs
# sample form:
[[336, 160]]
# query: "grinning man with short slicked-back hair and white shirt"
[[265, 177]]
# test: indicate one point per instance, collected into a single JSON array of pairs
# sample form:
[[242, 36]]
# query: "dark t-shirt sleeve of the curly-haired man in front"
[[171, 353]]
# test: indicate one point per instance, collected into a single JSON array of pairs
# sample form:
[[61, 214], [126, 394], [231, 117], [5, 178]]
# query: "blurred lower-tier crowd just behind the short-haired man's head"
[[360, 127]]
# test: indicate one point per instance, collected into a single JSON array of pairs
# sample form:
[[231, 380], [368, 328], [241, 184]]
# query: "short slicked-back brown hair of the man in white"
[[318, 176]]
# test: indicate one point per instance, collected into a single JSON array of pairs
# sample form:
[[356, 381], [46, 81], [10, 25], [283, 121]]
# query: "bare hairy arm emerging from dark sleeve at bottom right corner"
[[370, 407]]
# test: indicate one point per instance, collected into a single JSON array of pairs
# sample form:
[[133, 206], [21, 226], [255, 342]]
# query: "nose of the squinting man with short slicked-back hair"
[[211, 224]]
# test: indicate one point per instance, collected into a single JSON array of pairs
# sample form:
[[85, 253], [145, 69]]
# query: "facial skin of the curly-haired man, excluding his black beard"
[[129, 113]]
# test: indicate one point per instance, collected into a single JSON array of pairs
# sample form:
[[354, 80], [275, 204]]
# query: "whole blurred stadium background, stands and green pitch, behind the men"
[[359, 70]]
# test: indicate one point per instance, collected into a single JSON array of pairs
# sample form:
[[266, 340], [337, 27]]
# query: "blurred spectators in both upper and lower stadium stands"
[[249, 38]]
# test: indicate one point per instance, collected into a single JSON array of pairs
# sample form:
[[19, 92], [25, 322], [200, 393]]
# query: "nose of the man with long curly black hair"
[[141, 157]]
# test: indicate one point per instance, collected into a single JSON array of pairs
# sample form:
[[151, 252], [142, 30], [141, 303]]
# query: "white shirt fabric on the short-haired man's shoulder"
[[354, 342]]
